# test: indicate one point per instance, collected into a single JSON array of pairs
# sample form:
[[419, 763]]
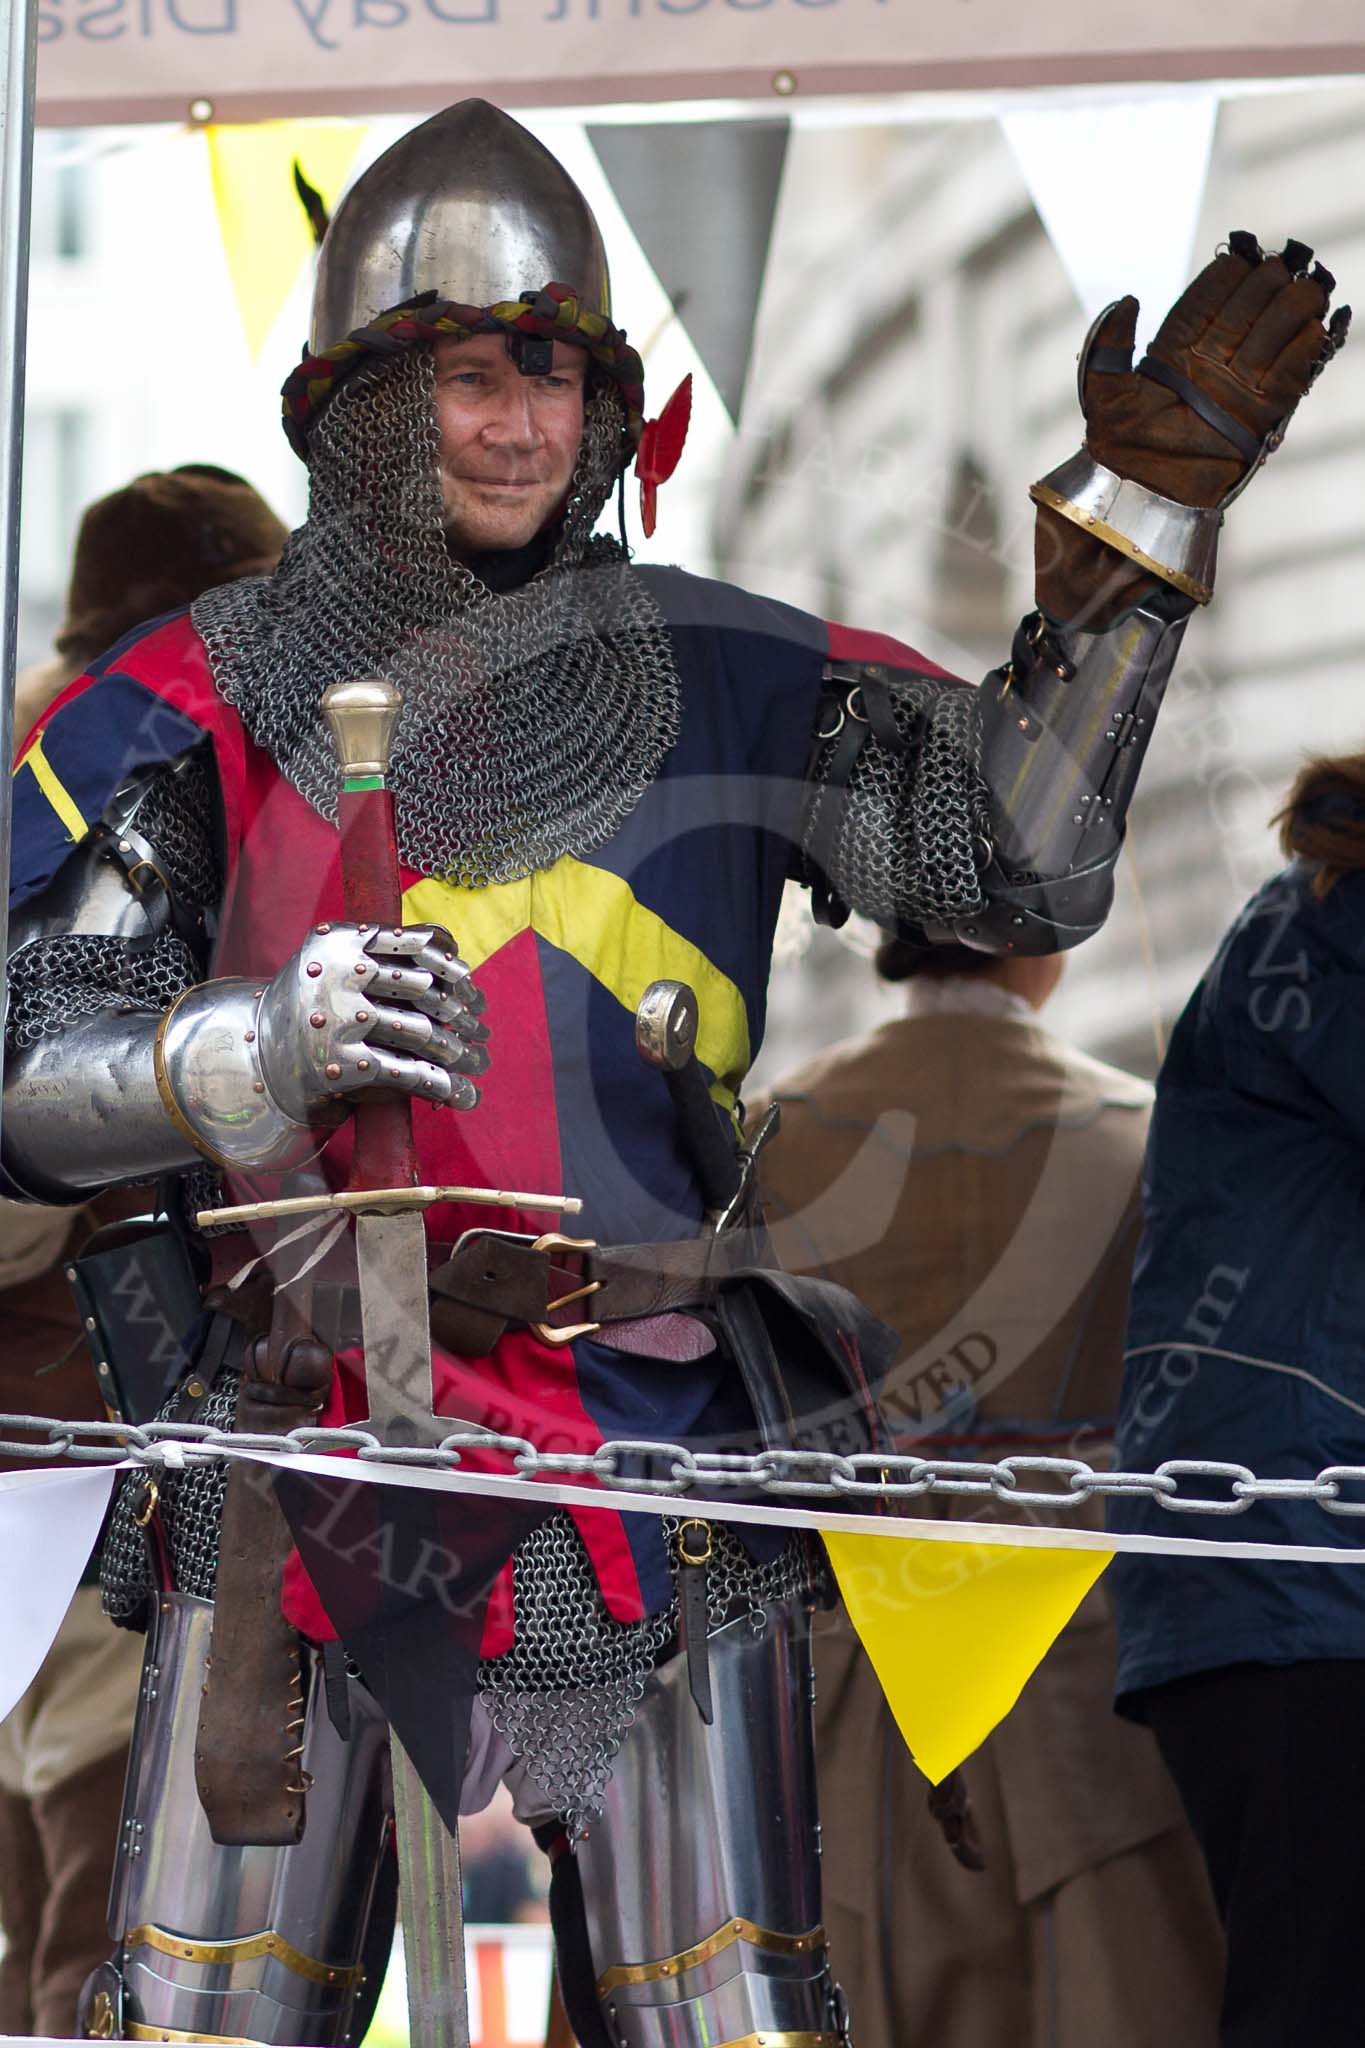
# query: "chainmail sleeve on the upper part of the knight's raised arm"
[[899, 820]]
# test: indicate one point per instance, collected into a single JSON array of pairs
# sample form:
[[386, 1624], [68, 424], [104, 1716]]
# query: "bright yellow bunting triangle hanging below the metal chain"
[[955, 1629]]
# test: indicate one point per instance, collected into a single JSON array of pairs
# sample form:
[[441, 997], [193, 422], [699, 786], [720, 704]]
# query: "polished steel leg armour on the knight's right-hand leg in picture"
[[701, 1883]]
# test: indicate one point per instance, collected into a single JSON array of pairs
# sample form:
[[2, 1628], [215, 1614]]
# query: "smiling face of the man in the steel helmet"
[[509, 443]]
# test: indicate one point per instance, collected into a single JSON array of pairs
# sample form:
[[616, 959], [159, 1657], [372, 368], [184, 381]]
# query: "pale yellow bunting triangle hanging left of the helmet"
[[265, 230]]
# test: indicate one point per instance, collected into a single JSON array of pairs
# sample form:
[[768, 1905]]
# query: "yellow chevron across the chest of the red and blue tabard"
[[597, 919]]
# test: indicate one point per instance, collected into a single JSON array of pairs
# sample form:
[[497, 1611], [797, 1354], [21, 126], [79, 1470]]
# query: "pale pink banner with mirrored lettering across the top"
[[152, 60]]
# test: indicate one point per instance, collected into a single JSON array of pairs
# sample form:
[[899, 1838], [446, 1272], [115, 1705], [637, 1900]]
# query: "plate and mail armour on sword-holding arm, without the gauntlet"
[[122, 1062]]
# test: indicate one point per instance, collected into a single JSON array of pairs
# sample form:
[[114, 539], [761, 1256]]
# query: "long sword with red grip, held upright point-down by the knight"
[[398, 1340]]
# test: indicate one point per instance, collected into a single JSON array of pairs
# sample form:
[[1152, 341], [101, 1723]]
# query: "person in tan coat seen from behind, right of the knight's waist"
[[975, 1181]]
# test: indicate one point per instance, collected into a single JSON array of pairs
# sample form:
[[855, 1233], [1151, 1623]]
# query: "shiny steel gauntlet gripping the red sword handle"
[[365, 1007]]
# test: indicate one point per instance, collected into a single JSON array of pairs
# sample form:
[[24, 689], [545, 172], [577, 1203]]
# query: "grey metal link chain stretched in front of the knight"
[[873, 1476]]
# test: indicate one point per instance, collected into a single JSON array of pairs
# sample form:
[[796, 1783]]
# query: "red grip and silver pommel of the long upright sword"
[[363, 720]]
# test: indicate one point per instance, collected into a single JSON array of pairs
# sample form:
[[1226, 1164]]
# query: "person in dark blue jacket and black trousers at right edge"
[[1245, 1345]]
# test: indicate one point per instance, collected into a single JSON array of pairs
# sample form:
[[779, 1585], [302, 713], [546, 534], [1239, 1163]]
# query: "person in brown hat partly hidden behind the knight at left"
[[146, 550]]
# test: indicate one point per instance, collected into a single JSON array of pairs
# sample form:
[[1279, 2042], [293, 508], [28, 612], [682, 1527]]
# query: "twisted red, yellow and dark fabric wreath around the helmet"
[[556, 314]]
